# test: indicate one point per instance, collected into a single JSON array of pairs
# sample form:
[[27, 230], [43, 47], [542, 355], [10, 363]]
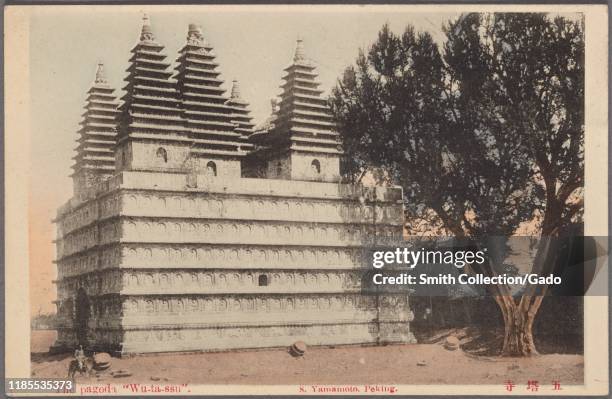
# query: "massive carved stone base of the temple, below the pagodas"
[[164, 267]]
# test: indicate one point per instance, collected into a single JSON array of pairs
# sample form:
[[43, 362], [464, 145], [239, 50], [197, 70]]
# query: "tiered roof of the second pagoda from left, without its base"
[[151, 107]]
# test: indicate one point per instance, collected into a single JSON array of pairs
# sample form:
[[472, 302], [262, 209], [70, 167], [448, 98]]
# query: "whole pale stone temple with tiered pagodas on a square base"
[[192, 230]]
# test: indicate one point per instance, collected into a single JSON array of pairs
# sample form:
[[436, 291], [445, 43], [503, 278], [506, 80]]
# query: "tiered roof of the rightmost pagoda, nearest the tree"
[[303, 120]]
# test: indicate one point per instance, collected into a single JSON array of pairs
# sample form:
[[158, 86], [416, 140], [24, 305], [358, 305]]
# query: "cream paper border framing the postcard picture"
[[17, 156]]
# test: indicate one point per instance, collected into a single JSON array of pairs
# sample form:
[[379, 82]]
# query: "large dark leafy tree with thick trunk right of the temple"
[[484, 134]]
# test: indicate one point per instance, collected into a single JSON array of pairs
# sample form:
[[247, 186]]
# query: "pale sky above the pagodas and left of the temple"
[[253, 45]]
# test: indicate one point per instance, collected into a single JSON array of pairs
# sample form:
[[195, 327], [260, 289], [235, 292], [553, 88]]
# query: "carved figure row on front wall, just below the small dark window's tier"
[[260, 303]]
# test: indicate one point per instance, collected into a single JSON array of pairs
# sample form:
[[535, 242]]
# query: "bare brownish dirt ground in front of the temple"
[[393, 364]]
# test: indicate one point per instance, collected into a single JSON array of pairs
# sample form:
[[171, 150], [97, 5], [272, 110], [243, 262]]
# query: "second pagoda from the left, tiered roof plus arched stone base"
[[151, 111]]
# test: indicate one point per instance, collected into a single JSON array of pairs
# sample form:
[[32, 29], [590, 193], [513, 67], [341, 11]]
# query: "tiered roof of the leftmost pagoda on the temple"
[[98, 134]]
